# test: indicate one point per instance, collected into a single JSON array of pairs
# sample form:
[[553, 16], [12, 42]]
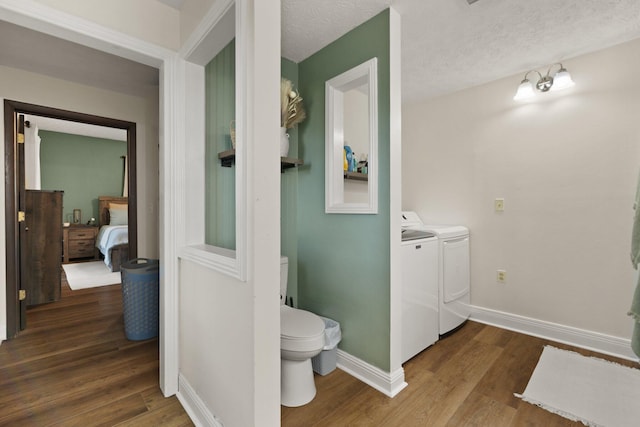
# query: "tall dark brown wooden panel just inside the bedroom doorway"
[[41, 251]]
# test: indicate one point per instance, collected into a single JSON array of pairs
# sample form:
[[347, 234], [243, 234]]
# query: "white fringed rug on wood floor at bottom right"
[[593, 391]]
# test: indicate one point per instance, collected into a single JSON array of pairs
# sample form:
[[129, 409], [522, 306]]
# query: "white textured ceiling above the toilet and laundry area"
[[449, 45]]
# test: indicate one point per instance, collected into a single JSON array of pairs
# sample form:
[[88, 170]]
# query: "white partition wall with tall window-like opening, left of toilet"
[[229, 325]]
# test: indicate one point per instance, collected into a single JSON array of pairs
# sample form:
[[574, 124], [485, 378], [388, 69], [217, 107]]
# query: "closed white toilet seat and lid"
[[300, 330]]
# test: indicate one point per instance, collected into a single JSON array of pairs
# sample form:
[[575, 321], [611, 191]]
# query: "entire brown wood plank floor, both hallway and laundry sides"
[[73, 366]]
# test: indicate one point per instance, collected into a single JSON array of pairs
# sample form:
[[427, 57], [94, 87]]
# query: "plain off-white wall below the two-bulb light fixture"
[[566, 165]]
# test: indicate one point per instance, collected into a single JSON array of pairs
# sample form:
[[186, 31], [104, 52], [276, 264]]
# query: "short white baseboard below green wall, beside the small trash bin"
[[389, 383]]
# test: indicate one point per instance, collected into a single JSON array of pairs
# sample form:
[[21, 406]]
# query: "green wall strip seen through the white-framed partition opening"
[[220, 182]]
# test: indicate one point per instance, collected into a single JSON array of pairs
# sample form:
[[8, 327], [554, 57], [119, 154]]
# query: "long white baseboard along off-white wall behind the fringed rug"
[[606, 344]]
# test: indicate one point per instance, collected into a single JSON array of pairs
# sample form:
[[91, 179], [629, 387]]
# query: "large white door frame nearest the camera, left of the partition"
[[42, 18]]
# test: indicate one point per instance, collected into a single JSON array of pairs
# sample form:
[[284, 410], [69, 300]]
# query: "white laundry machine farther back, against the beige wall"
[[454, 281]]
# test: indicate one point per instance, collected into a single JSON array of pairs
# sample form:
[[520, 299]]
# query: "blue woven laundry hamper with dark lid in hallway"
[[140, 298]]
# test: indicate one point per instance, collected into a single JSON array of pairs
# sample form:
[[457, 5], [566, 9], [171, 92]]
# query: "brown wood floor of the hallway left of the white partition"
[[73, 366]]
